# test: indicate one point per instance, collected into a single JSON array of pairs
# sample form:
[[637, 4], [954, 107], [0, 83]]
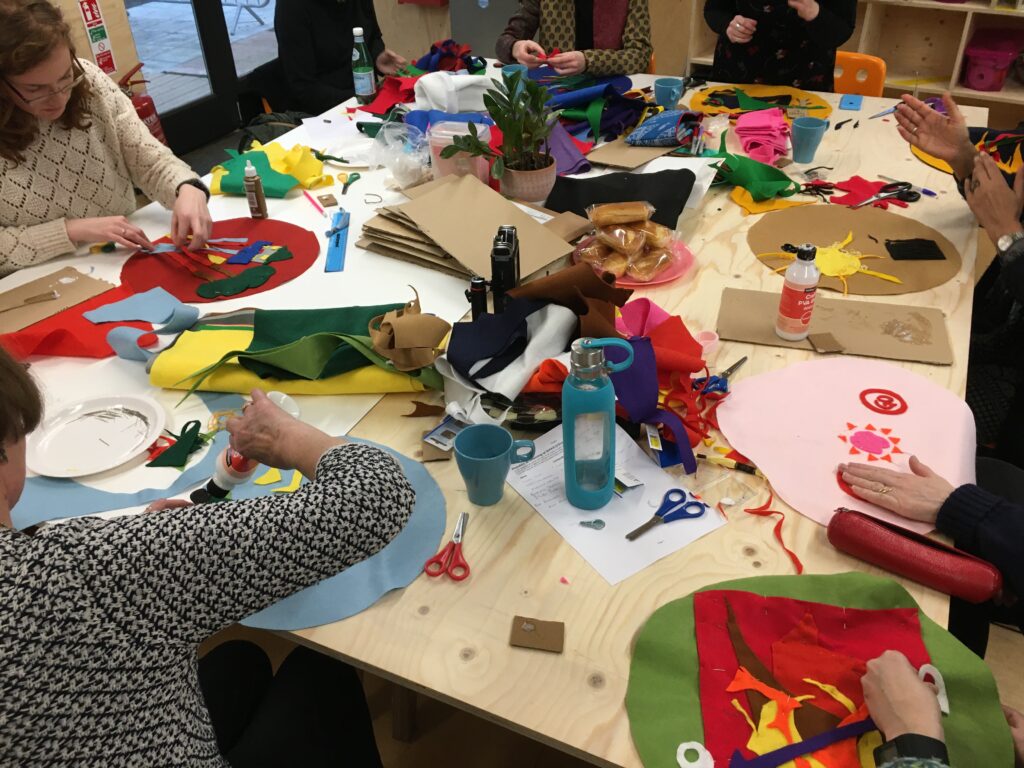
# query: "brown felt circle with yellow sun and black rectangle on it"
[[824, 226]]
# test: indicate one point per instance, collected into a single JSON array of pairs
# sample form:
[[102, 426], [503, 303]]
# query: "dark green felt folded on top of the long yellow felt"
[[276, 329]]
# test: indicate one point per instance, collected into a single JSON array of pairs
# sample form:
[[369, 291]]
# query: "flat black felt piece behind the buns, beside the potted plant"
[[667, 191]]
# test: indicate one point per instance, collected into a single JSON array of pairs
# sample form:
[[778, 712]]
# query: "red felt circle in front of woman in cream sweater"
[[146, 271]]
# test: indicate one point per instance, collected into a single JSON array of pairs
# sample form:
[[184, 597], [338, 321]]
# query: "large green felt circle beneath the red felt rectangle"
[[664, 694]]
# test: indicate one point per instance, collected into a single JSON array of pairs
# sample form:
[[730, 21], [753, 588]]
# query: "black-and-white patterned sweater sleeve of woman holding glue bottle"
[[186, 574]]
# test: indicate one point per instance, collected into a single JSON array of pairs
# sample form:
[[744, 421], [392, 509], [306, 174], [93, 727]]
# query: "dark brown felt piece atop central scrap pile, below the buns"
[[582, 290]]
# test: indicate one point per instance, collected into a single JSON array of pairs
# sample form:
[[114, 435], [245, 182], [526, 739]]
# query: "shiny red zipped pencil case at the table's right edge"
[[915, 557]]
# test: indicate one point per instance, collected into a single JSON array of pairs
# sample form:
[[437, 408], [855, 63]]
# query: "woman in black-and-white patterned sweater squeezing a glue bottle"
[[100, 621]]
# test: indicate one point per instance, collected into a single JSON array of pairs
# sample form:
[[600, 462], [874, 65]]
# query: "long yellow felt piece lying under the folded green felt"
[[196, 350]]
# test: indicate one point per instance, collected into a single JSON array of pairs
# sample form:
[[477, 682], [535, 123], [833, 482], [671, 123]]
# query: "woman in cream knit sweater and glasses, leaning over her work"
[[72, 150]]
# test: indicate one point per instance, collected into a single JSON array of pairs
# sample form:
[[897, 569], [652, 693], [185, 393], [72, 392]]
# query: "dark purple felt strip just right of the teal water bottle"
[[636, 389]]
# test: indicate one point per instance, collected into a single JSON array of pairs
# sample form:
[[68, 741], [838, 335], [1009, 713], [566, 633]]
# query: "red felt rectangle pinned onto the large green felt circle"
[[846, 638]]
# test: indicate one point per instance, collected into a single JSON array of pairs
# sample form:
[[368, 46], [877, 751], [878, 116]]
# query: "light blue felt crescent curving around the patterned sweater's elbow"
[[361, 586]]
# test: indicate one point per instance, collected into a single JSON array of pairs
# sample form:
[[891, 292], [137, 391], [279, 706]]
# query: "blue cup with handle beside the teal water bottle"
[[485, 454]]
